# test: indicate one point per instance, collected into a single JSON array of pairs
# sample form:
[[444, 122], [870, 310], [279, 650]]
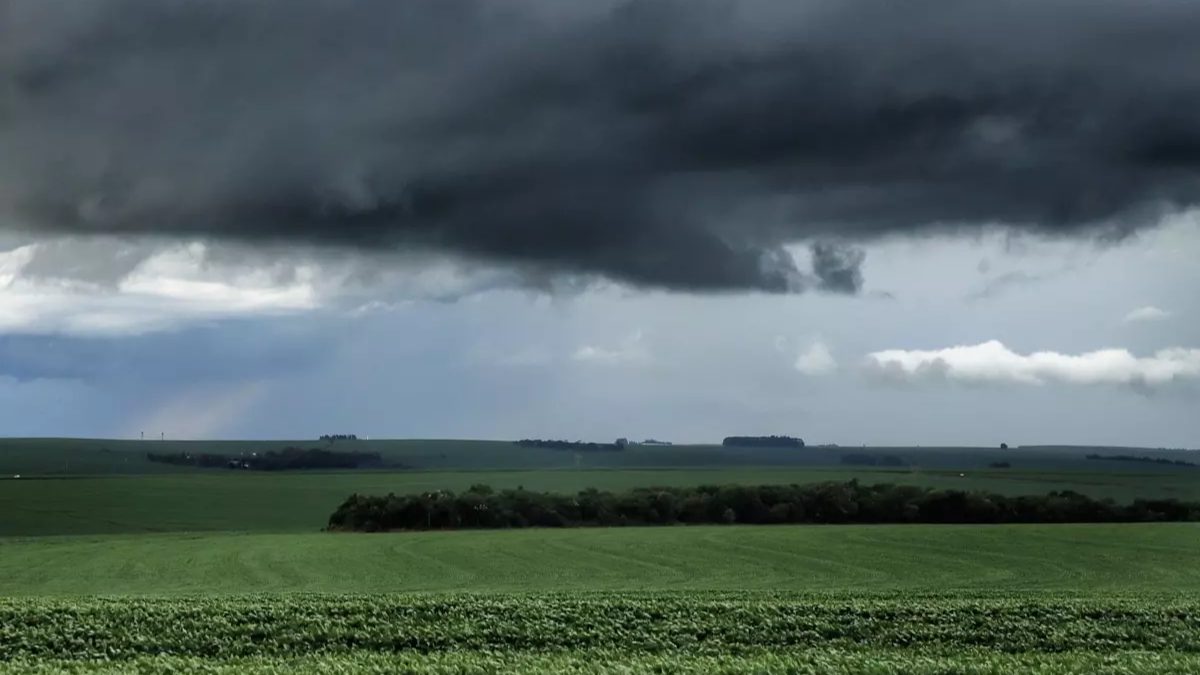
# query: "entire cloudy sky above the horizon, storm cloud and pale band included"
[[647, 219]]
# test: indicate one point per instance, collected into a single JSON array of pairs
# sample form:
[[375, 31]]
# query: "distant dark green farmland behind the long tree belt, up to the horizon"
[[81, 487]]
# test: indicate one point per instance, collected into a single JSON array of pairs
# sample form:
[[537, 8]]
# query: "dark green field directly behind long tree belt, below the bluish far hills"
[[303, 501]]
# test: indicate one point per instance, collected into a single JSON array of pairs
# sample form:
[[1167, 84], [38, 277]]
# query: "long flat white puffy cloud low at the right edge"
[[994, 363]]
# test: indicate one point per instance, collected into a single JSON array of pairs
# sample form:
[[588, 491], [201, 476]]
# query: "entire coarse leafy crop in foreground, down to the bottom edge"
[[603, 634]]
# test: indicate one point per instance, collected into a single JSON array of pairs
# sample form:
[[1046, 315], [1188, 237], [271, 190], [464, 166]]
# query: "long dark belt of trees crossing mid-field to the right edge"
[[481, 507]]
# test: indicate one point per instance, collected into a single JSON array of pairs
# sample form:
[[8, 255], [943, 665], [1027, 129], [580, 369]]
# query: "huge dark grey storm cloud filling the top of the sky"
[[664, 144]]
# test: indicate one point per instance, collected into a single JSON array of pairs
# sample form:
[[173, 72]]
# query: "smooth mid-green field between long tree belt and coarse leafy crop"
[[1082, 559]]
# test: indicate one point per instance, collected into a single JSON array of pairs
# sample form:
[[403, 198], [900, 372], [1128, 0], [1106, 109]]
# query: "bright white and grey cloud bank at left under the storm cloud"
[[111, 288]]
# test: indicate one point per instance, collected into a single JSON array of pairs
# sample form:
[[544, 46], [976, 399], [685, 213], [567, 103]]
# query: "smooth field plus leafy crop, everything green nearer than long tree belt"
[[799, 600]]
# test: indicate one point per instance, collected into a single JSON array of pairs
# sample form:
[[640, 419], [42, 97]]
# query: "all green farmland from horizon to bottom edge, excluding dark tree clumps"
[[113, 564]]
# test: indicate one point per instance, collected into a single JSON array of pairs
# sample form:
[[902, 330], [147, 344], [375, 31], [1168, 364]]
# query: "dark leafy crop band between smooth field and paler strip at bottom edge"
[[638, 624]]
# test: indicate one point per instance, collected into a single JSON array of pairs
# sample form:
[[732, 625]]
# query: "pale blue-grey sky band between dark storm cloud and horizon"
[[607, 362]]
